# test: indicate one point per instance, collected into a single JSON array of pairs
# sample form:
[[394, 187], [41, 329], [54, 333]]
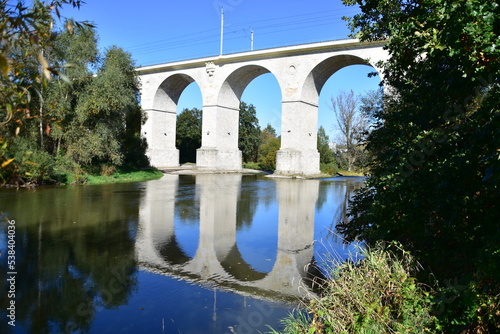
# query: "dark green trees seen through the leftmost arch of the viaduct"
[[188, 134]]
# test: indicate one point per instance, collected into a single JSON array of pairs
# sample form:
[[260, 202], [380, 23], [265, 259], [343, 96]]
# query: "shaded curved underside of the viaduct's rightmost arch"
[[323, 71]]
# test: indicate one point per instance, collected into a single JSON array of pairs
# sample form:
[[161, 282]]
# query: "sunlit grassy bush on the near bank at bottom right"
[[377, 294]]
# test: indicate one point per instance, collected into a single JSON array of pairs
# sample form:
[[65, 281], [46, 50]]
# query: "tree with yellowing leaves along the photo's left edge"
[[25, 72]]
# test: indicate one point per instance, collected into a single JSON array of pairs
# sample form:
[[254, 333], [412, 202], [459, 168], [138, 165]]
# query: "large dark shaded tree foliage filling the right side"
[[436, 164]]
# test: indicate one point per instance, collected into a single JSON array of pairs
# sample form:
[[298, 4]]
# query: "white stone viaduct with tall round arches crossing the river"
[[301, 71]]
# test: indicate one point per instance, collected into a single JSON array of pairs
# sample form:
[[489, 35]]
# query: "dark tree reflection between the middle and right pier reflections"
[[248, 202]]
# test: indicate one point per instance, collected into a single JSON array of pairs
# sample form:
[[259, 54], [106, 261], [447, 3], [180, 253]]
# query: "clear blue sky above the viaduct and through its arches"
[[165, 30]]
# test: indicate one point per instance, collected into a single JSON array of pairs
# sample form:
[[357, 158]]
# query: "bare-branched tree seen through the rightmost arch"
[[352, 125]]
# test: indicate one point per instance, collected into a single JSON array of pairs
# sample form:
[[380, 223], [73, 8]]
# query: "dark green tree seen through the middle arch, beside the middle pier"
[[248, 133]]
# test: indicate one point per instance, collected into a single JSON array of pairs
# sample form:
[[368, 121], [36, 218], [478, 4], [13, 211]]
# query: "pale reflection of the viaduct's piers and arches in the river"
[[218, 259]]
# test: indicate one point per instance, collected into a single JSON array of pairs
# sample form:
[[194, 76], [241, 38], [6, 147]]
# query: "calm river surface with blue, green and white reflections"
[[221, 253]]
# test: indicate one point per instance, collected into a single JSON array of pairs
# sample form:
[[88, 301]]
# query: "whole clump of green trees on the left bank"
[[73, 108]]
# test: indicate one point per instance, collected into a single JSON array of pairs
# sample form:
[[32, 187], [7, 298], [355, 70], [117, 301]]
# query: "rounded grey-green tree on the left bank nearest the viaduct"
[[96, 132]]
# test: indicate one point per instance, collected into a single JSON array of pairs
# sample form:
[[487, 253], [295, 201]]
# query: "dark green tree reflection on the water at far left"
[[74, 256]]
